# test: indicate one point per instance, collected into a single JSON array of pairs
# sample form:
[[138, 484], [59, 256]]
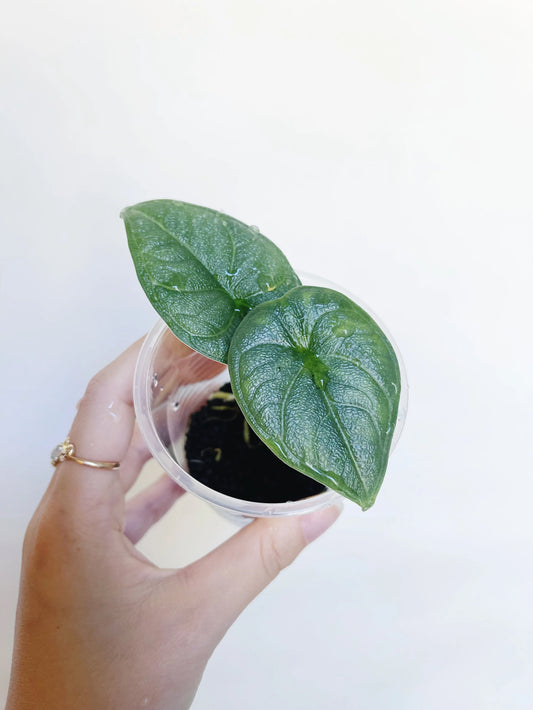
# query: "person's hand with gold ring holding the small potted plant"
[[98, 625]]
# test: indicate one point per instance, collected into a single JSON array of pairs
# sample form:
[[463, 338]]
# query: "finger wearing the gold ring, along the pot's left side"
[[101, 431]]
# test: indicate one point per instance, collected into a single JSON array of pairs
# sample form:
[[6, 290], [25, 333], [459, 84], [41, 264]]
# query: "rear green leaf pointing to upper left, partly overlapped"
[[202, 270]]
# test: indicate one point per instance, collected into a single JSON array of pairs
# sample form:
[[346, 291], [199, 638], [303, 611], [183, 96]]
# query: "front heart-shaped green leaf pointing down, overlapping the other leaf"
[[319, 383]]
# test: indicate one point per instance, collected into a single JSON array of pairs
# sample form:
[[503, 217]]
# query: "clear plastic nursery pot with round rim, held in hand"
[[171, 382]]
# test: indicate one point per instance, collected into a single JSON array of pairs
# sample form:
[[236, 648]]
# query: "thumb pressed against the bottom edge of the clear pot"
[[227, 579]]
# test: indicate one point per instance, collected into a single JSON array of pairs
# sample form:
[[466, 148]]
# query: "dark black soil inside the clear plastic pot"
[[224, 453]]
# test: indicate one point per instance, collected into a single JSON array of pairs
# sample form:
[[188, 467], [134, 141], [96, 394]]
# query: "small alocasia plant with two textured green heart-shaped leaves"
[[312, 372]]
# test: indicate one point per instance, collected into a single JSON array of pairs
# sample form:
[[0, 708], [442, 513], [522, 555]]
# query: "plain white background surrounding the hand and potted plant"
[[384, 145]]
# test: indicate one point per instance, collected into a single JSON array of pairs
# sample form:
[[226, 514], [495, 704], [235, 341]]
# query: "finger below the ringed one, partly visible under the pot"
[[148, 506]]
